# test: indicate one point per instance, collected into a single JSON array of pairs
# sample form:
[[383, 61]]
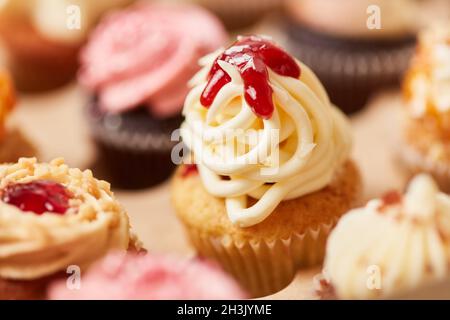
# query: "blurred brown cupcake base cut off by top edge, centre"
[[238, 14]]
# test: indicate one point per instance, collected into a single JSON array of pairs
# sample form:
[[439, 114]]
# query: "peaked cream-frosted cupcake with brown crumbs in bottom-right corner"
[[392, 245]]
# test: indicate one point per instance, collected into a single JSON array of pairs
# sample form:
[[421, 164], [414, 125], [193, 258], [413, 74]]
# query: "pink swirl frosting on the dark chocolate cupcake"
[[146, 54]]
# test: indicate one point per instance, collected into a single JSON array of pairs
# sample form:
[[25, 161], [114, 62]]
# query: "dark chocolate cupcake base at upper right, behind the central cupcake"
[[351, 70]]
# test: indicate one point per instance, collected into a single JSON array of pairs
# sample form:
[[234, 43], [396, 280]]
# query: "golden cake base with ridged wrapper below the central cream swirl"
[[265, 257]]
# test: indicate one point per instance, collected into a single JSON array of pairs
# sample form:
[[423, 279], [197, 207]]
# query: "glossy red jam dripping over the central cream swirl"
[[251, 56]]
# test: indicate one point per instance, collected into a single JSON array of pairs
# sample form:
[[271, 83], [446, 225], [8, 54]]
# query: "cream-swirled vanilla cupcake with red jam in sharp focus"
[[272, 159]]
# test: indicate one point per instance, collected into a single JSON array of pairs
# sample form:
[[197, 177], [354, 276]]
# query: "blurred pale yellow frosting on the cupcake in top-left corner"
[[51, 17]]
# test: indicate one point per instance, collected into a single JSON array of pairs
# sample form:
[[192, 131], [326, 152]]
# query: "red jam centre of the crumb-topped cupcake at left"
[[38, 196]]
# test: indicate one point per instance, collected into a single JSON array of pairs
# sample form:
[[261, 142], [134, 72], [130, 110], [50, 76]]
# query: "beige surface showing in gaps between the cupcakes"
[[54, 122]]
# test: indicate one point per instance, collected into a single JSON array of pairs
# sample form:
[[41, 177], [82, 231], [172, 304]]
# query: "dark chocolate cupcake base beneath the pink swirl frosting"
[[130, 159]]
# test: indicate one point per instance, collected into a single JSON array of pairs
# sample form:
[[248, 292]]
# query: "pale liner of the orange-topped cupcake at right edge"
[[415, 162]]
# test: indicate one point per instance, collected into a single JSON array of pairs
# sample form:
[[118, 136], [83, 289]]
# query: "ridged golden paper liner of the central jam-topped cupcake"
[[264, 267]]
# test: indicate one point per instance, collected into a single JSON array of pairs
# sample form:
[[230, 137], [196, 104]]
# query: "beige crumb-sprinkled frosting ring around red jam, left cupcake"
[[33, 246]]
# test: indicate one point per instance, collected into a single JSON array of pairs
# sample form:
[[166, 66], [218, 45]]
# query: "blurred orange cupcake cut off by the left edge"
[[13, 144]]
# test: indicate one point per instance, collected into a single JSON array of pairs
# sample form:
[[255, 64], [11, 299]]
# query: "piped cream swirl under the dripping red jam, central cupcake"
[[294, 152]]
